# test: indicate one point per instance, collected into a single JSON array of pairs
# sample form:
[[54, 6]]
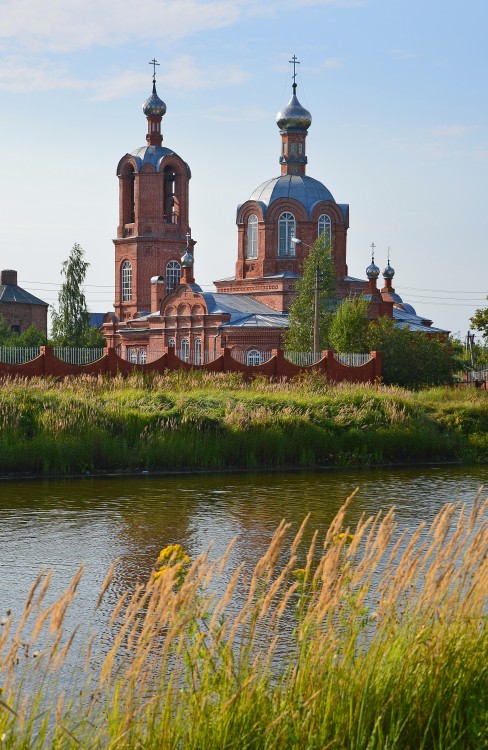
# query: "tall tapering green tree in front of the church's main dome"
[[299, 337]]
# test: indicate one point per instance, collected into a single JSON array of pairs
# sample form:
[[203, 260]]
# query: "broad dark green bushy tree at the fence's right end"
[[412, 359]]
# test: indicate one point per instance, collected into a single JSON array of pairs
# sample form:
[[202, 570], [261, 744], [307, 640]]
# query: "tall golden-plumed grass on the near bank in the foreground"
[[359, 640]]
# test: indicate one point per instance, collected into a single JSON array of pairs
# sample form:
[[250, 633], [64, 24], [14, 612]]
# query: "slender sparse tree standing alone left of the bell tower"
[[71, 322]]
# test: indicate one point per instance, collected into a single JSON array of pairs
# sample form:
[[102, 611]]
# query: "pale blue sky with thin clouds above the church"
[[397, 92]]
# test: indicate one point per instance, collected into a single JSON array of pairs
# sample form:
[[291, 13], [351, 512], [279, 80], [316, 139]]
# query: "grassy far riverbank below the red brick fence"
[[192, 421]]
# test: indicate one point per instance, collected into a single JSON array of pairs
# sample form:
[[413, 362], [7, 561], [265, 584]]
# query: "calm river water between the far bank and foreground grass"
[[63, 524]]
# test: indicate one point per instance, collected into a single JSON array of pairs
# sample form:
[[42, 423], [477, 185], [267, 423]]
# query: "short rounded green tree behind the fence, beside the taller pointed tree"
[[349, 327]]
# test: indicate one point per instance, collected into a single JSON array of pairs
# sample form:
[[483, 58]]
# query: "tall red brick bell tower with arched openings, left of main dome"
[[153, 217]]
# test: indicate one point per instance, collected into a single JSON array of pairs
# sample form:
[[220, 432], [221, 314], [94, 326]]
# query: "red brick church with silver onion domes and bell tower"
[[158, 303]]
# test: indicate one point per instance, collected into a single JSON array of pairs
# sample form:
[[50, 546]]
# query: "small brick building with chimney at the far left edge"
[[19, 308]]
